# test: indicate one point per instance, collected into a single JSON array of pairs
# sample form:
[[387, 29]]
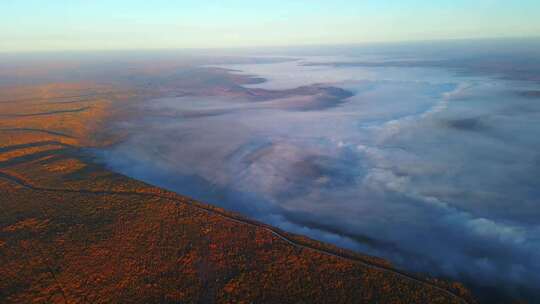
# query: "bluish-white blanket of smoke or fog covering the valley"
[[434, 169]]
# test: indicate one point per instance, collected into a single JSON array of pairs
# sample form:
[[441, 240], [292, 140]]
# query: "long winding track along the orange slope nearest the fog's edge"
[[274, 231]]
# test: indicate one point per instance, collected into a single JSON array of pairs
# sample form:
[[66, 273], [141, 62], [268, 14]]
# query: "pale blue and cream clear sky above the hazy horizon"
[[31, 25]]
